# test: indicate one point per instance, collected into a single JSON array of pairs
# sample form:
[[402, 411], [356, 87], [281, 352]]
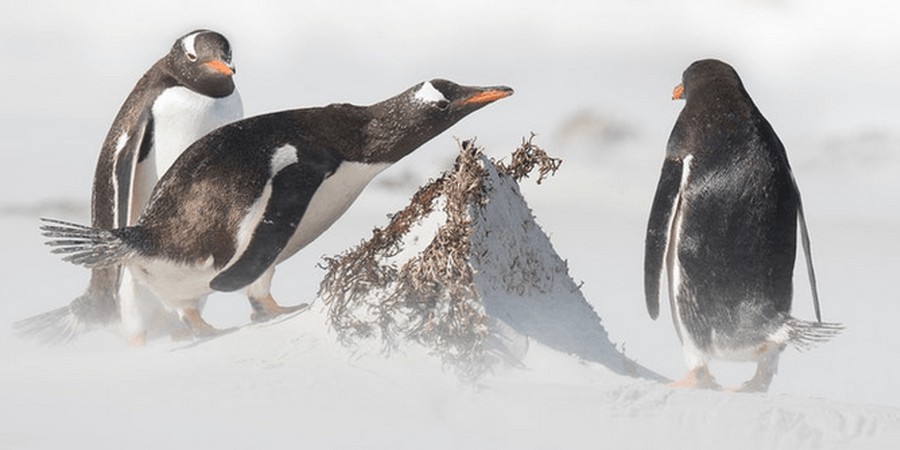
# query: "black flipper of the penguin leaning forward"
[[292, 190]]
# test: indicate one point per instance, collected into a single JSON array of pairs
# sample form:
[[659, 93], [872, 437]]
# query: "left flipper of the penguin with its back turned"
[[658, 232]]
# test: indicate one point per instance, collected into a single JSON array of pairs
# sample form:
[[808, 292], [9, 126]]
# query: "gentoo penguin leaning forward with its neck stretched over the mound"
[[251, 194]]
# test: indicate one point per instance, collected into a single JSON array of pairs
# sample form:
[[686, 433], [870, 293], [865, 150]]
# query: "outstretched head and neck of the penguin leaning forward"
[[403, 123]]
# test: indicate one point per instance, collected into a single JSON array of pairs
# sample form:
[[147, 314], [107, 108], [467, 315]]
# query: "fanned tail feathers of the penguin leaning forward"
[[83, 245]]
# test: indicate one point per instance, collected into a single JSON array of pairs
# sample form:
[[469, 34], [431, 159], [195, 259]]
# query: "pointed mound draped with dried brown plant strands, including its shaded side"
[[466, 271]]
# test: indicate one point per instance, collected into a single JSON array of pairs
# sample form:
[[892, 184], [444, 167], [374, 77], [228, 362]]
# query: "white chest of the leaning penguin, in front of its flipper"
[[331, 200]]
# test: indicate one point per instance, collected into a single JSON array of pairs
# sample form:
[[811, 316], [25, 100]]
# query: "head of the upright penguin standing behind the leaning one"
[[201, 61]]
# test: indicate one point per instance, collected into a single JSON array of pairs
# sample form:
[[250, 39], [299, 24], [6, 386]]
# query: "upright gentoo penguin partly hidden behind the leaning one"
[[186, 94]]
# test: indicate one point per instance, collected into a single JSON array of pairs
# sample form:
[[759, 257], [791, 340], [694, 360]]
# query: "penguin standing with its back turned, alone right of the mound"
[[723, 227]]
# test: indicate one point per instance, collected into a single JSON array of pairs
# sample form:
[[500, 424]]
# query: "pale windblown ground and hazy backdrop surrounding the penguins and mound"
[[593, 79]]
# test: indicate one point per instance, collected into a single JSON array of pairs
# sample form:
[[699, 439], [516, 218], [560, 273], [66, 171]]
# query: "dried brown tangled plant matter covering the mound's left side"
[[431, 298]]
